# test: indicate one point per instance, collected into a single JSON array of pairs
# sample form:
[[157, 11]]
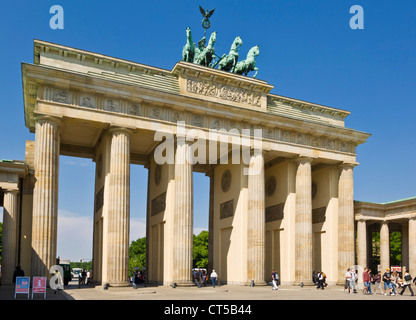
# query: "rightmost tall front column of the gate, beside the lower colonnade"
[[346, 236]]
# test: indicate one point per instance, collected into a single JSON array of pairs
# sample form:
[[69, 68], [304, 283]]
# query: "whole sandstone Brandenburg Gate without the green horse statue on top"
[[287, 205]]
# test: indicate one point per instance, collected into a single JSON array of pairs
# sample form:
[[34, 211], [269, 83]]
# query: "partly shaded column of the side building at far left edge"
[[8, 260]]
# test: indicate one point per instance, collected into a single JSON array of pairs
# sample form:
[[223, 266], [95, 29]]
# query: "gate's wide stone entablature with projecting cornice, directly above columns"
[[94, 94]]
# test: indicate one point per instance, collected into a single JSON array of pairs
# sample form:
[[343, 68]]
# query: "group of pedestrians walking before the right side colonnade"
[[392, 281]]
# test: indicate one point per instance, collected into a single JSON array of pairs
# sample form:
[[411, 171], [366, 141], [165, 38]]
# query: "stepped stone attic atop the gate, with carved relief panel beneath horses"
[[187, 79]]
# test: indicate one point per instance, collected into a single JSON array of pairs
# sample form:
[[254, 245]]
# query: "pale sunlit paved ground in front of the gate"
[[225, 292]]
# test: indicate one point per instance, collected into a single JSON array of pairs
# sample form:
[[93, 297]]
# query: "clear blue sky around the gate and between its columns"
[[307, 51]]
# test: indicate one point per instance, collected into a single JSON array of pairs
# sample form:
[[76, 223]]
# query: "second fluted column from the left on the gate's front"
[[119, 208]]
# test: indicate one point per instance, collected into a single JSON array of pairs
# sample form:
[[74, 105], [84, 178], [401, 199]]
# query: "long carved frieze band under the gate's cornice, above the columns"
[[163, 112]]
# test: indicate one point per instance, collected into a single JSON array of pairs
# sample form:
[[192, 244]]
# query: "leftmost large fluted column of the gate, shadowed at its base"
[[45, 195]]
